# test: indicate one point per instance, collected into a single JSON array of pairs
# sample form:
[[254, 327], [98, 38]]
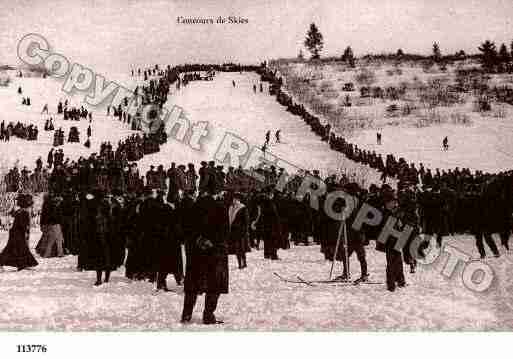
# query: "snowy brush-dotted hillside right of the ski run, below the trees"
[[483, 143]]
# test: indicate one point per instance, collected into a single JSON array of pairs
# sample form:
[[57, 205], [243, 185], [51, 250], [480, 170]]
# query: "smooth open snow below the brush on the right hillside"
[[486, 145]]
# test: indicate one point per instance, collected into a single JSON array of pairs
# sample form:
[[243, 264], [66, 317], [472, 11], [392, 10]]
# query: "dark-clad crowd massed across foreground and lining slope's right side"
[[101, 207]]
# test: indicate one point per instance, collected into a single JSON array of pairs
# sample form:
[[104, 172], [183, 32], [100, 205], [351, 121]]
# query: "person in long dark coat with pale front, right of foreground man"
[[238, 238]]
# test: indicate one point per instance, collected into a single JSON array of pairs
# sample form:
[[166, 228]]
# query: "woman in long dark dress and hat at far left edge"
[[17, 253]]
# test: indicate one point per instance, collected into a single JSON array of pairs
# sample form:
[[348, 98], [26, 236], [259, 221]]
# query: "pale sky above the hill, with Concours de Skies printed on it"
[[116, 35]]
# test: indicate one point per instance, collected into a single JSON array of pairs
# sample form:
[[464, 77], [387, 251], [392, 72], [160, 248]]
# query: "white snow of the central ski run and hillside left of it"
[[226, 109]]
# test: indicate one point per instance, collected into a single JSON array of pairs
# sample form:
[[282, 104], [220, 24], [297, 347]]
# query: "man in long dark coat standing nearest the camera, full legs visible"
[[207, 259]]
